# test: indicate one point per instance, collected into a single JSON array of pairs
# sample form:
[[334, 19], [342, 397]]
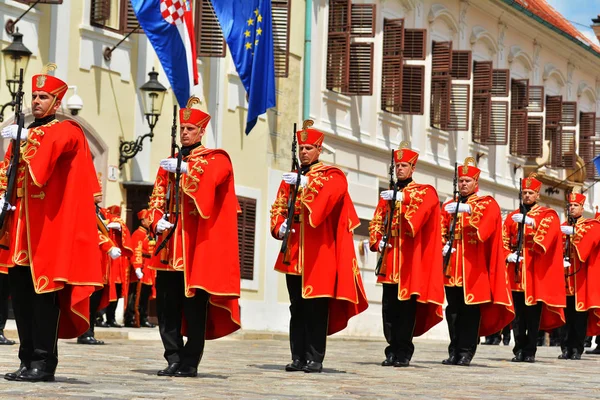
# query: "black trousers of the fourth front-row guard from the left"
[[399, 318]]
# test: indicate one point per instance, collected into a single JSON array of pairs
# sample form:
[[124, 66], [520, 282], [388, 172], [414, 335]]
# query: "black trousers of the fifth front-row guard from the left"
[[463, 323]]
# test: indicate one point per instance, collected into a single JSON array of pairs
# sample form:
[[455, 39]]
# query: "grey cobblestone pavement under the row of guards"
[[253, 369]]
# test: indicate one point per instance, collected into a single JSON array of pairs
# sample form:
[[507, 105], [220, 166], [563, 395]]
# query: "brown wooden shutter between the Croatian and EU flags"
[[209, 36]]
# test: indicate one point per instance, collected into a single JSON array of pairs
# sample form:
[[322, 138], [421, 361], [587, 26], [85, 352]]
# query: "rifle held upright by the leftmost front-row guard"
[[14, 162]]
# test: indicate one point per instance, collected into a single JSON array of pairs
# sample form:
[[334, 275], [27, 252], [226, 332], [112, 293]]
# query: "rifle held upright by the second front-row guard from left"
[[166, 236]]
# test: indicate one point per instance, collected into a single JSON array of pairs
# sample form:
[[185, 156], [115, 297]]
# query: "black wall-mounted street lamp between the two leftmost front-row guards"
[[153, 95]]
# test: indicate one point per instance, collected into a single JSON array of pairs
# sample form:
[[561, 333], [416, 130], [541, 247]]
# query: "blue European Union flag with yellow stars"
[[247, 28]]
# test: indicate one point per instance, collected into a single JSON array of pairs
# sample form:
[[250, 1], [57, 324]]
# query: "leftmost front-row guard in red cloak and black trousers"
[[52, 257]]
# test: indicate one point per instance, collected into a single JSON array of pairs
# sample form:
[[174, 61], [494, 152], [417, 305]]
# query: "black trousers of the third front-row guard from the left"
[[308, 323]]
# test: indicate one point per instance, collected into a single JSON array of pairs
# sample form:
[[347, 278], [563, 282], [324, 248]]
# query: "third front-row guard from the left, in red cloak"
[[322, 273]]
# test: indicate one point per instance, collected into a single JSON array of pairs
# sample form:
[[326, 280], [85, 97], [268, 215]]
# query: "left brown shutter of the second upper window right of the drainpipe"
[[391, 73]]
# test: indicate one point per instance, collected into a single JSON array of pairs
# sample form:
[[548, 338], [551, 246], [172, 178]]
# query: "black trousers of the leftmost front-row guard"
[[37, 318]]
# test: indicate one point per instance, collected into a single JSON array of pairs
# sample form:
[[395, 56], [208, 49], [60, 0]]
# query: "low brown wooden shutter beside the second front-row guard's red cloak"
[[246, 236]]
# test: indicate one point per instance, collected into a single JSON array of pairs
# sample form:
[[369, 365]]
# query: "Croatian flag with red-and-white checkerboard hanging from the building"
[[169, 26]]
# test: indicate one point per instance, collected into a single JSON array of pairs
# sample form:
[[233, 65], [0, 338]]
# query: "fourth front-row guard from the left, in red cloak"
[[411, 269]]
